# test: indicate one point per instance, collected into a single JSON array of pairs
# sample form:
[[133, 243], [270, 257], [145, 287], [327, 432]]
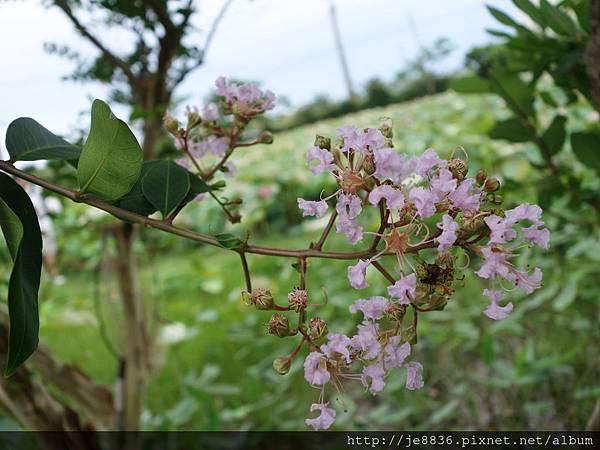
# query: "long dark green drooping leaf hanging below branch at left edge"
[[25, 277]]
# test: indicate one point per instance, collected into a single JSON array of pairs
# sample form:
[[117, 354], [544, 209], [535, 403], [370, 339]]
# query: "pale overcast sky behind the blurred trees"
[[286, 45]]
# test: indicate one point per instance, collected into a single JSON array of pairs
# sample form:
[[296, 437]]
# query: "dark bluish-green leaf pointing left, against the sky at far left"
[[27, 140]]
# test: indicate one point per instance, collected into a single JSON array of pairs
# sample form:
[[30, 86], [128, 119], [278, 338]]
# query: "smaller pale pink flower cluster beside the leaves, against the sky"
[[212, 134]]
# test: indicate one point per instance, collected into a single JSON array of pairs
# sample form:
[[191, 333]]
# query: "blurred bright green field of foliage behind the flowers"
[[538, 369]]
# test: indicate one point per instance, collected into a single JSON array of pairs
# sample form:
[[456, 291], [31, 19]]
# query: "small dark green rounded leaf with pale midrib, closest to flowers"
[[166, 185]]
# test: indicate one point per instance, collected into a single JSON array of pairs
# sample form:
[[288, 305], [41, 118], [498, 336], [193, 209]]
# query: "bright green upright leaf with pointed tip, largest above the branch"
[[111, 159]]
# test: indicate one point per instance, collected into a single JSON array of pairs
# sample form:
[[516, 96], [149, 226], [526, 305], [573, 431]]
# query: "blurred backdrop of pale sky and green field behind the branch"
[[537, 369]]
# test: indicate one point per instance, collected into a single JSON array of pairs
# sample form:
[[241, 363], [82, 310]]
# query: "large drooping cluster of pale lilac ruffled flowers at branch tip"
[[411, 193]]
